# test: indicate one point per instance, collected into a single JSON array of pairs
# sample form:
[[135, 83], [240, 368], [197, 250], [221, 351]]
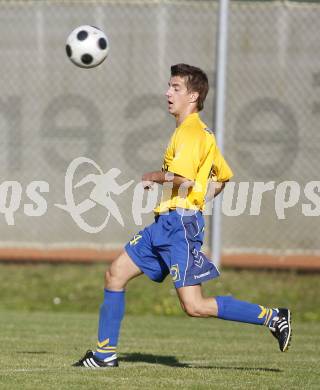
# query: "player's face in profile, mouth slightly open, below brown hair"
[[177, 96]]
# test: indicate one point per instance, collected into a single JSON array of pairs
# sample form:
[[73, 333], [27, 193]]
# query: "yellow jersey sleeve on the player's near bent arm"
[[187, 152]]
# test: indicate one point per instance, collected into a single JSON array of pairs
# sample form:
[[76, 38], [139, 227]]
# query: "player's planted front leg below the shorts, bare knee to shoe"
[[111, 313]]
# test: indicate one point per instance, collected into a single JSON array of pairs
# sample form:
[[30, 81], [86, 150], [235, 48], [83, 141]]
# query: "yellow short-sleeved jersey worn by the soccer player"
[[192, 153]]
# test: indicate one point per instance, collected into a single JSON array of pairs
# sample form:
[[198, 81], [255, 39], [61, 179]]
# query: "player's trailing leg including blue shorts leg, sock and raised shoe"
[[190, 267]]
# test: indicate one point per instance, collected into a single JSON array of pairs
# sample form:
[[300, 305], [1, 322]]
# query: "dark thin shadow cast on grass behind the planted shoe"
[[172, 361]]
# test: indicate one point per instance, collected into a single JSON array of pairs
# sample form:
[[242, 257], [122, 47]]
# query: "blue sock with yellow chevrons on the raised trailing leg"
[[232, 309]]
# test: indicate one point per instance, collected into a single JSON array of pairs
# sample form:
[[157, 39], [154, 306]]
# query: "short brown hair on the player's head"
[[196, 81]]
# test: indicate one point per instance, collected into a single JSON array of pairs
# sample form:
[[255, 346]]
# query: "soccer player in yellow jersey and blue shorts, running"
[[172, 244]]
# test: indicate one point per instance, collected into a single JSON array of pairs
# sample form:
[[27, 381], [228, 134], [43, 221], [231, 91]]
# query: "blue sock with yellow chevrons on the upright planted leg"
[[111, 314]]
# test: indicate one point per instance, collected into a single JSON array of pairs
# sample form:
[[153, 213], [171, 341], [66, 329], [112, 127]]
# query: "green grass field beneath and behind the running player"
[[48, 318]]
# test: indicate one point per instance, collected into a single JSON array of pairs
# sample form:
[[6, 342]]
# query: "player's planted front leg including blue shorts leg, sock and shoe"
[[139, 257]]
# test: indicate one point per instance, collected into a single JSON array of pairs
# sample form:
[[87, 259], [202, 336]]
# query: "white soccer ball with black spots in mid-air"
[[87, 46]]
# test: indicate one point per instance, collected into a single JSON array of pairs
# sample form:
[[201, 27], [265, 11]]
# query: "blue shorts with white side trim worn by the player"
[[172, 245]]
